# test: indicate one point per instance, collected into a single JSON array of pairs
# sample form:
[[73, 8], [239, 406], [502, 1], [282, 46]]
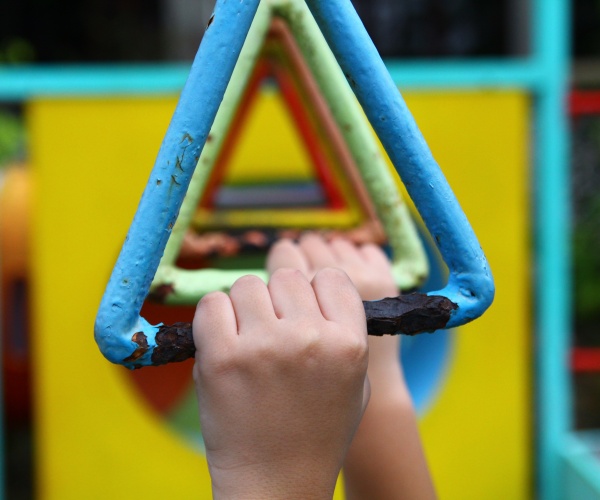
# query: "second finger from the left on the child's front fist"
[[251, 303]]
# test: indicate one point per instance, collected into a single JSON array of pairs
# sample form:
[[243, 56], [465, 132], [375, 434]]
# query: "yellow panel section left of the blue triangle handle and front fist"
[[94, 437]]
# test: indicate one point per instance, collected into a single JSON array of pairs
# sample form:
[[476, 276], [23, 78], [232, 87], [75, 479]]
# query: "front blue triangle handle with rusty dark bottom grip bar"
[[125, 337]]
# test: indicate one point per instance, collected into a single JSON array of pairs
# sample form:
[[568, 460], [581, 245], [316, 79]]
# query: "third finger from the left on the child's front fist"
[[292, 295]]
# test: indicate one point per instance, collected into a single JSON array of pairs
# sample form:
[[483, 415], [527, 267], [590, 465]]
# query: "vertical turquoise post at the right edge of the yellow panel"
[[552, 220]]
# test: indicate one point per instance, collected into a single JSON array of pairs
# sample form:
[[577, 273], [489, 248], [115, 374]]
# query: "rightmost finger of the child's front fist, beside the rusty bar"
[[338, 299]]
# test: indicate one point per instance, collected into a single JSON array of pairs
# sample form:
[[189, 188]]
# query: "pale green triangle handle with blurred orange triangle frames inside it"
[[346, 131]]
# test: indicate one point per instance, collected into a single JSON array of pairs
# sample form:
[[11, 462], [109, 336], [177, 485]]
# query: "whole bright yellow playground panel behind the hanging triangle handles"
[[99, 434]]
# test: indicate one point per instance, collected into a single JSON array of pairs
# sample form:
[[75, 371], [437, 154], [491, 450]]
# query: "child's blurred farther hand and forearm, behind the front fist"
[[386, 459]]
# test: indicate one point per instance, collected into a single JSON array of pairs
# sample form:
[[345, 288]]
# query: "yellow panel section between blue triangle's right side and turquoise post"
[[477, 434]]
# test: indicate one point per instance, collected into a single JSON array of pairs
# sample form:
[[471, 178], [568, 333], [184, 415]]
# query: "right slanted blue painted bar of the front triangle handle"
[[470, 283]]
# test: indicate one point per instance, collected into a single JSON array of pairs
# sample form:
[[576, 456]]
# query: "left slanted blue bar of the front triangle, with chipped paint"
[[118, 322]]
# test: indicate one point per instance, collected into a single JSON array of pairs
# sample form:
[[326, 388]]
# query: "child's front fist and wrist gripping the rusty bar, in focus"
[[280, 374]]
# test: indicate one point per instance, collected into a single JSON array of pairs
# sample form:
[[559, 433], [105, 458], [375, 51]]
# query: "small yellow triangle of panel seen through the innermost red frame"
[[269, 146]]
